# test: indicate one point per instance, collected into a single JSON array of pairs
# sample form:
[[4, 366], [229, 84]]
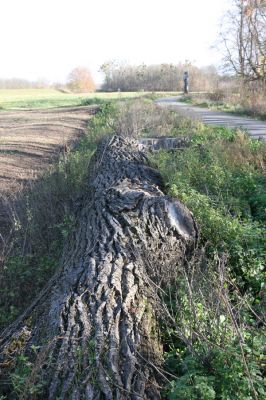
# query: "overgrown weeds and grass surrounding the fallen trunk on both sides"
[[213, 310]]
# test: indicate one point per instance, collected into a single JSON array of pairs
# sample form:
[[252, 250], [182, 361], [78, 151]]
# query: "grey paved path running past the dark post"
[[255, 128]]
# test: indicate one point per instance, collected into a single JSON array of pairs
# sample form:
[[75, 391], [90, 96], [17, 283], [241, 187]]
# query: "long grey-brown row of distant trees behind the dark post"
[[163, 77]]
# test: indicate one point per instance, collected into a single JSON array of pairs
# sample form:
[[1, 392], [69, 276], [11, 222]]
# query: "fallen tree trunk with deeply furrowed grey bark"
[[93, 331]]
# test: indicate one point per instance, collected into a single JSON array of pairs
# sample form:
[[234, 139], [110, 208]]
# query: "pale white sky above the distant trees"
[[48, 38]]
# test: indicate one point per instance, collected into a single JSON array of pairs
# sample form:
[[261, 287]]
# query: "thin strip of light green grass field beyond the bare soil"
[[47, 98]]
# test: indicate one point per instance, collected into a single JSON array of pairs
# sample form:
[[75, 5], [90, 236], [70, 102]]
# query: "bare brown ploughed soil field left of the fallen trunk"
[[31, 140]]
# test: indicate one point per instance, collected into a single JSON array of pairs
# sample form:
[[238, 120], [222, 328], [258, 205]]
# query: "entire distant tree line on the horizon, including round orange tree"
[[117, 76]]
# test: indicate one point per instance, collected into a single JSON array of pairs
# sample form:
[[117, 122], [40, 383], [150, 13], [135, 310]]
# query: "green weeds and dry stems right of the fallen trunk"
[[215, 344]]
